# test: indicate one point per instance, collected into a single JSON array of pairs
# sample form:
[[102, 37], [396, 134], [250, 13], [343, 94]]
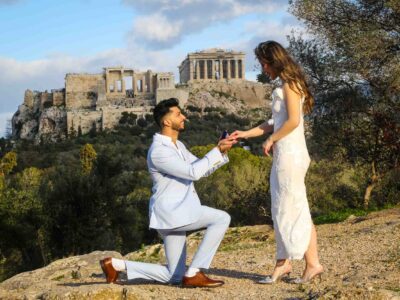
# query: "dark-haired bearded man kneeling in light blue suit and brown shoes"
[[175, 207]]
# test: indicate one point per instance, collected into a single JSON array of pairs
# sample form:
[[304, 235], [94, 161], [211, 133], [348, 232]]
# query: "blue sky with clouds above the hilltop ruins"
[[42, 40]]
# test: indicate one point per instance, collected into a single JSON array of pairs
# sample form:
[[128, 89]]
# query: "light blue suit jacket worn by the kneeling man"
[[174, 201]]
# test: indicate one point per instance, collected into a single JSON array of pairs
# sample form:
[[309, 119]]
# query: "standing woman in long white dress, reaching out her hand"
[[295, 233]]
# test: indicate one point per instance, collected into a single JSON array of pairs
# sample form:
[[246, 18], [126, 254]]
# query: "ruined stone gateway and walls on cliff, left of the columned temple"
[[92, 102]]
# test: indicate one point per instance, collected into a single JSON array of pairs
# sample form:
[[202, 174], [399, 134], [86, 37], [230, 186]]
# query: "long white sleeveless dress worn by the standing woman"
[[289, 205]]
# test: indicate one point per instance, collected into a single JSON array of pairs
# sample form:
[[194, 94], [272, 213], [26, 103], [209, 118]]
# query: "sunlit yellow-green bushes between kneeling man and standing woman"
[[240, 187]]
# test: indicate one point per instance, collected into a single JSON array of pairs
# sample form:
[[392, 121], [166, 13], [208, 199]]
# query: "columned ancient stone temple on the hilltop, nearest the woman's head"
[[212, 65]]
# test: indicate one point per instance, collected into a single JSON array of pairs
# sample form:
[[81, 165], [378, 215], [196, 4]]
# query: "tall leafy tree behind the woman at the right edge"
[[354, 63]]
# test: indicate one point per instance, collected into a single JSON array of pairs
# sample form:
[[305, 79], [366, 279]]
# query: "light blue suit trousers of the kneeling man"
[[216, 223]]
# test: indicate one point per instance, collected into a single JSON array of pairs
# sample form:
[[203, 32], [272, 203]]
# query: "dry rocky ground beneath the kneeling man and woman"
[[361, 258]]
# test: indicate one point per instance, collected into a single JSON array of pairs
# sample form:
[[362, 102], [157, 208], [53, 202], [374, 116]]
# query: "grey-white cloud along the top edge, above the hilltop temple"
[[175, 19]]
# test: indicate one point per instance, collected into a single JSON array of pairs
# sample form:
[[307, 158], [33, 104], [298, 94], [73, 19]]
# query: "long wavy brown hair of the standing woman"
[[287, 69]]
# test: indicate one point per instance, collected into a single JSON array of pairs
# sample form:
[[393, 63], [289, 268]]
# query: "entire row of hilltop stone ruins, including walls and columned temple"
[[97, 101]]
